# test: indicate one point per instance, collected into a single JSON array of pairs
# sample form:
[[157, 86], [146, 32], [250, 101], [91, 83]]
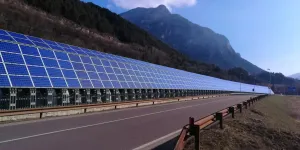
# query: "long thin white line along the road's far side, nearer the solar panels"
[[101, 123]]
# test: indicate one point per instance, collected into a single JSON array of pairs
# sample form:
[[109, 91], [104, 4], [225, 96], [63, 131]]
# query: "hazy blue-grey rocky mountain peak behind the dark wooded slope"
[[196, 42]]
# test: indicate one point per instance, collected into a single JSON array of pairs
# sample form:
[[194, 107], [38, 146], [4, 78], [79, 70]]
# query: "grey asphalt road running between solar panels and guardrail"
[[112, 130]]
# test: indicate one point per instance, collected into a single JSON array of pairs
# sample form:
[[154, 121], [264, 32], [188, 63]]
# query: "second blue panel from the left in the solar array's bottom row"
[[20, 81]]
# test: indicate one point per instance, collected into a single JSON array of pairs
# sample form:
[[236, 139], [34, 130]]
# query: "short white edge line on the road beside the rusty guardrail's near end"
[[160, 140]]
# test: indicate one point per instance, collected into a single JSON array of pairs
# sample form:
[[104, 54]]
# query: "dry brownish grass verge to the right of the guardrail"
[[269, 124]]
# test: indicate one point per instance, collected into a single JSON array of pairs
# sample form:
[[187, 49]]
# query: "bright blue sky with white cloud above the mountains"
[[264, 32]]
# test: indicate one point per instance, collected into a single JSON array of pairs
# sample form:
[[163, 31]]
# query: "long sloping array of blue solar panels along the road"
[[32, 62]]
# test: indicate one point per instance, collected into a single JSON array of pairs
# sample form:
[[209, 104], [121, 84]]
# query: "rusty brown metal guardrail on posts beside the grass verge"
[[193, 128]]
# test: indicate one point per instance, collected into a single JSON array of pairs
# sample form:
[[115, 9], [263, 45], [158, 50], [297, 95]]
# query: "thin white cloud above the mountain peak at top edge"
[[130, 4]]
